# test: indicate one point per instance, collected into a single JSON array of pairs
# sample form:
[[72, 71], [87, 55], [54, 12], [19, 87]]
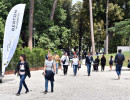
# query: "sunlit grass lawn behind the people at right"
[[127, 56]]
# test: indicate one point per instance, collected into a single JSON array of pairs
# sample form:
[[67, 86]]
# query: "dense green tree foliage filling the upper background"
[[71, 22]]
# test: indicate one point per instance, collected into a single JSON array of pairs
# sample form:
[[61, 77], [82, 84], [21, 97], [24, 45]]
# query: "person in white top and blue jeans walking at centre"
[[75, 63]]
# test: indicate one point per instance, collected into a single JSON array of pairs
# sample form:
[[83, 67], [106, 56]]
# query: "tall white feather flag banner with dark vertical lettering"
[[12, 33]]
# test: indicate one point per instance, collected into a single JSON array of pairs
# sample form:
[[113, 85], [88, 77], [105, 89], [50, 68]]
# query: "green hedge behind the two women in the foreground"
[[35, 58]]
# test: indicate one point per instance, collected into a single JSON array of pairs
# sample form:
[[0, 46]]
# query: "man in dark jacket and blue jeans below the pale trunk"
[[89, 60]]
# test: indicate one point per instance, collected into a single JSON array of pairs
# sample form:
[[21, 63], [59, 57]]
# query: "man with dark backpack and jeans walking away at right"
[[119, 58]]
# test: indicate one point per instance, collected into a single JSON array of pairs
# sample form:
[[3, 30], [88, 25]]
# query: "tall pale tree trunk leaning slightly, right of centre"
[[91, 27]]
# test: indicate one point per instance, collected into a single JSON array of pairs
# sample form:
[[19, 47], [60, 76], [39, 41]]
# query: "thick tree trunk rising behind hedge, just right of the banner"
[[31, 11]]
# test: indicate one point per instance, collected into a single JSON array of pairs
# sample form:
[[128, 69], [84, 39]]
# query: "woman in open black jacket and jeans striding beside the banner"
[[23, 70]]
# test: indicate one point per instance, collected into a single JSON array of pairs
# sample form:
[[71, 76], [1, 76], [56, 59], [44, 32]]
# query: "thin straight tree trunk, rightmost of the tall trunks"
[[107, 27]]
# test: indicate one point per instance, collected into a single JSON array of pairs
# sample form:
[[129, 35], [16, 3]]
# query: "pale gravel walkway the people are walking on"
[[100, 86]]
